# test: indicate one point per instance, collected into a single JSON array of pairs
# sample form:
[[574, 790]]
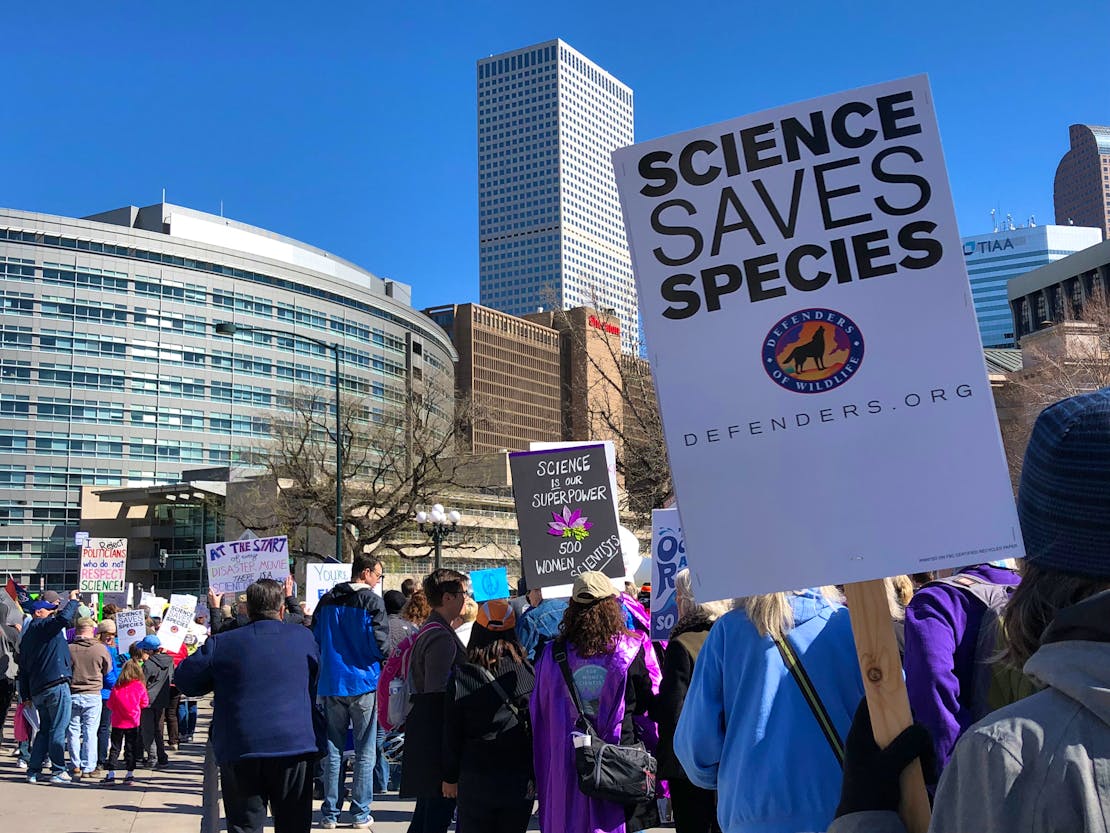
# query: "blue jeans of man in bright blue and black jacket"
[[359, 712]]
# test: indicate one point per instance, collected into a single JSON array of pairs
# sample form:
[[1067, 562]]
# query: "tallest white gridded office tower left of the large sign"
[[550, 226]]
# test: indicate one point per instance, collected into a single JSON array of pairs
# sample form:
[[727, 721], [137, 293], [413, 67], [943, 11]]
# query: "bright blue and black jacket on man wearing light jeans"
[[354, 634]]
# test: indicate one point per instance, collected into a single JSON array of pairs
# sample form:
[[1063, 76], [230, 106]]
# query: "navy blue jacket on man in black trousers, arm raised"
[[265, 679]]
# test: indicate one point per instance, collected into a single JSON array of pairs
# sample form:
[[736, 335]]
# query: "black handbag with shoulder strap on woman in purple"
[[624, 775]]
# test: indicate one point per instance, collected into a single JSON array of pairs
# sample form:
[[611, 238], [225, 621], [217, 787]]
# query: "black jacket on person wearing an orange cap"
[[488, 749]]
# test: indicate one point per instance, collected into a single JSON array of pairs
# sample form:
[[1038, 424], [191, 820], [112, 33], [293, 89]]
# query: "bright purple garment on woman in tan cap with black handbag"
[[562, 806]]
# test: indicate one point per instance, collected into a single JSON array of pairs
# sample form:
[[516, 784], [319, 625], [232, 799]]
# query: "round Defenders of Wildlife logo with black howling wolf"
[[813, 352]]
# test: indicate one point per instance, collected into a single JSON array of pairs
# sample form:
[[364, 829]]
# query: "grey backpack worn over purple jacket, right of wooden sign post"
[[995, 684]]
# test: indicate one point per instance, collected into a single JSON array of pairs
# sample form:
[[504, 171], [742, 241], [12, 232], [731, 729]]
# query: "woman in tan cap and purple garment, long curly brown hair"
[[611, 668]]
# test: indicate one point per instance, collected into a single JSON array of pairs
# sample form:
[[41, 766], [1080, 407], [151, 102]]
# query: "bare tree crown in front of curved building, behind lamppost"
[[396, 460]]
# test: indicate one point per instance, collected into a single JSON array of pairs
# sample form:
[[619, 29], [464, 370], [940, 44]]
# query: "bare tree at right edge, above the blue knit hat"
[[1071, 358]]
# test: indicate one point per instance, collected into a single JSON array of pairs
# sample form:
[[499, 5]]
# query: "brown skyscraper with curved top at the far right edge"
[[1082, 192]]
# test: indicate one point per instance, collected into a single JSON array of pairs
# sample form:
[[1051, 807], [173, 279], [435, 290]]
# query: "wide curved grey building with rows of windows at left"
[[112, 374]]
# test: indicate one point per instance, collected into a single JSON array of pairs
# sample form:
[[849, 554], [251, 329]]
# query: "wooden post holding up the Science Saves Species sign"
[[887, 700]]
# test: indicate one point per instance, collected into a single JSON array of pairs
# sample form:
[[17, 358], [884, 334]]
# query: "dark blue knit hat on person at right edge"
[[1064, 501]]
